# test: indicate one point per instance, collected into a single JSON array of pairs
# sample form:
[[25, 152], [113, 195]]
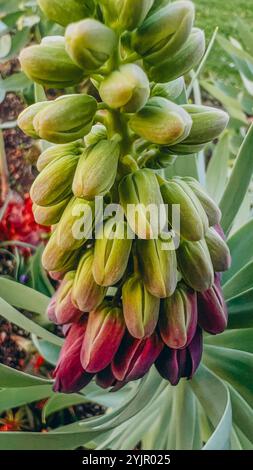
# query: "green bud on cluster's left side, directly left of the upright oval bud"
[[53, 184]]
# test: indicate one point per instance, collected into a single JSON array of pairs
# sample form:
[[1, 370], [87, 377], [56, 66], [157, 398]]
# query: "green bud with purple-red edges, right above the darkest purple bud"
[[178, 318]]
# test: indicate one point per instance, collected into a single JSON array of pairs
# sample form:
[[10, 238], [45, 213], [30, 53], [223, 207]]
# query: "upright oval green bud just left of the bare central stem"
[[96, 170]]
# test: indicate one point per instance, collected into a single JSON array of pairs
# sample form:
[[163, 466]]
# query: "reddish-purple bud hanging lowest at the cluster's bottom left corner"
[[69, 374]]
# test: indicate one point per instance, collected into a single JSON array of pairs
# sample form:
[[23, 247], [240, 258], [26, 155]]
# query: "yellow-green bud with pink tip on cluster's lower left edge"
[[64, 310]]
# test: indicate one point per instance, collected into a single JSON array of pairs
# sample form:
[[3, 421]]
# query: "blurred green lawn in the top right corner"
[[222, 13]]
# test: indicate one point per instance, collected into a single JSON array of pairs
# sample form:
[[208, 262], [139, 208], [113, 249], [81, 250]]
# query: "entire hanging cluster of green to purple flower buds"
[[126, 302]]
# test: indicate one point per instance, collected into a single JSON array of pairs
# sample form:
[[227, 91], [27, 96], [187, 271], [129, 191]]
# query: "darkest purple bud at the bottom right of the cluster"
[[174, 364]]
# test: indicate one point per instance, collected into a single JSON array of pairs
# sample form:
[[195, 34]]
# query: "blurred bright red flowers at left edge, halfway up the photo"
[[18, 222]]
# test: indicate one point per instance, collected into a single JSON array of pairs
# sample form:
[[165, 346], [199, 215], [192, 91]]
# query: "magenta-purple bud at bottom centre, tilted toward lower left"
[[135, 357]]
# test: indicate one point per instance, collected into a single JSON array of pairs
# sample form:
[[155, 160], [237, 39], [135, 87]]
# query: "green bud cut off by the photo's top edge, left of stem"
[[66, 11]]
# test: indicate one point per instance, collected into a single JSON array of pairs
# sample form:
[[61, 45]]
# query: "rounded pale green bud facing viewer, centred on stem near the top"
[[126, 88]]
